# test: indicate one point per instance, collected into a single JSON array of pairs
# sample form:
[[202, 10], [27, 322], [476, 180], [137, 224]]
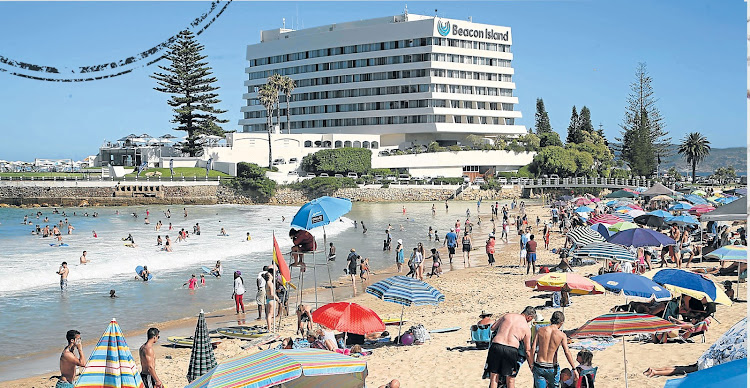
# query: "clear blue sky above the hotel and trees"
[[567, 52]]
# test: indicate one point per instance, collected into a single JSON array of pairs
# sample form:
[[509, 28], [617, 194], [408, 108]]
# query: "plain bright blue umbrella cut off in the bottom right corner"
[[730, 374]]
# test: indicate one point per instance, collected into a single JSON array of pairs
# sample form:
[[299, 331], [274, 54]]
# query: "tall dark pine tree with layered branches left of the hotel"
[[188, 79]]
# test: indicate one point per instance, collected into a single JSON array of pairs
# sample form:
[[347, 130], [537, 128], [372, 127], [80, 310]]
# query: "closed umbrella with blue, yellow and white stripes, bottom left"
[[111, 364]]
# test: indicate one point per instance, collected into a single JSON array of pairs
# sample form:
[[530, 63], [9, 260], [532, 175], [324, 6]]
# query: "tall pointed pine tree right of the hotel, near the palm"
[[641, 99]]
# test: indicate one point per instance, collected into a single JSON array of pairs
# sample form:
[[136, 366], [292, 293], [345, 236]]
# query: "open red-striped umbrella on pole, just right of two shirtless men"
[[623, 324]]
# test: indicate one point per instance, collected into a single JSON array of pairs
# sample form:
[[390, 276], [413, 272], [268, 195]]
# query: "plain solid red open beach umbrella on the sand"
[[348, 317]]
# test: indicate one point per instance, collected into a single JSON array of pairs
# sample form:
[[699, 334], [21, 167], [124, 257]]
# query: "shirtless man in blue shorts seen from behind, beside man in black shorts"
[[546, 370]]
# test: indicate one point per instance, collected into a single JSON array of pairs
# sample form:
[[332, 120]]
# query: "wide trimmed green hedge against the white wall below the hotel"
[[338, 161]]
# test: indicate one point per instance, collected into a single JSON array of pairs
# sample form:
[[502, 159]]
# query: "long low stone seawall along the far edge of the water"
[[44, 196]]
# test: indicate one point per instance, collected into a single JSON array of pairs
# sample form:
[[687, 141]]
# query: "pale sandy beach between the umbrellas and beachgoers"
[[468, 291]]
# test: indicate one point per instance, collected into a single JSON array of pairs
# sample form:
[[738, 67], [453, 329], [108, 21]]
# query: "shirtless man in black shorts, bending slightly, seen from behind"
[[502, 359]]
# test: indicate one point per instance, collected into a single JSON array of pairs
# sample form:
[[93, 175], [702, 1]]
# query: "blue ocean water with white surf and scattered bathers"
[[35, 314]]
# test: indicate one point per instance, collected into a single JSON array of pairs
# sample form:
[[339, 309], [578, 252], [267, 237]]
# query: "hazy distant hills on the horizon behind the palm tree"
[[719, 157]]
